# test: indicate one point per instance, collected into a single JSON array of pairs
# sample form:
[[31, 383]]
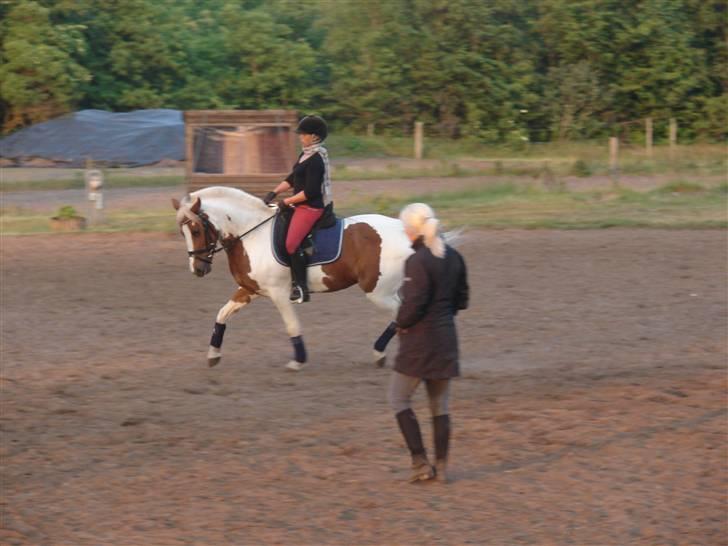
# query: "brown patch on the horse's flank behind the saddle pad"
[[359, 261]]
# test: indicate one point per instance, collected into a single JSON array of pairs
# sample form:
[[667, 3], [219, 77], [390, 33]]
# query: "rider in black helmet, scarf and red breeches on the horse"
[[311, 183]]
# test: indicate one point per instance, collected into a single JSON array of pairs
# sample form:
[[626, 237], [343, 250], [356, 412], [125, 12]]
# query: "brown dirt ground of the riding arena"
[[591, 410]]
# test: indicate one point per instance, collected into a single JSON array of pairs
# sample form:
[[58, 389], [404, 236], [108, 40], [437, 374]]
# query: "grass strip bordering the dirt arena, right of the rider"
[[502, 206]]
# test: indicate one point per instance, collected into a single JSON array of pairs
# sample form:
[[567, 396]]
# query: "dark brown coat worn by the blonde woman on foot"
[[434, 290]]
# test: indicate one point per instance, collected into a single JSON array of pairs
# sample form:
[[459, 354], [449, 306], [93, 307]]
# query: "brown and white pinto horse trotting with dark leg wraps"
[[373, 252]]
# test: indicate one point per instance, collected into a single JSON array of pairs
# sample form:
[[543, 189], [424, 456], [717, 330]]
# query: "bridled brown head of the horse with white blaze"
[[200, 234]]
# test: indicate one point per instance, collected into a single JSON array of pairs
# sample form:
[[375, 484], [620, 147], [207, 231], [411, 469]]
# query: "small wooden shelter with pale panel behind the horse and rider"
[[247, 149]]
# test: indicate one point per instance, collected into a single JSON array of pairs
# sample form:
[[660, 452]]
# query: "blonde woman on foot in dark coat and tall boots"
[[435, 288]]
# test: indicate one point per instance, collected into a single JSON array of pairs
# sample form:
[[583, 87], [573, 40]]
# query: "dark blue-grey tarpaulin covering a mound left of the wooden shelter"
[[134, 138]]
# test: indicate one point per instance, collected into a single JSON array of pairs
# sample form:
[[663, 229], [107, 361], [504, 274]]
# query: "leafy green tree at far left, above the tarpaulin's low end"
[[39, 77]]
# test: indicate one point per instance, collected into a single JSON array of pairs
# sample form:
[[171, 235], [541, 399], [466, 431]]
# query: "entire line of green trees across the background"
[[493, 70]]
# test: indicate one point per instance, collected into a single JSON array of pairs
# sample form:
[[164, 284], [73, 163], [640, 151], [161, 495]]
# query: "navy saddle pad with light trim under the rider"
[[323, 246]]
